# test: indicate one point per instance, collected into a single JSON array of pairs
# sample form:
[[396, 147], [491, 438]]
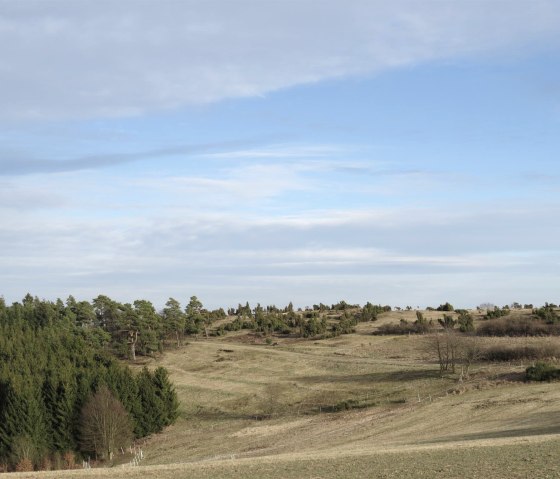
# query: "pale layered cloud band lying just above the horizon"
[[418, 255]]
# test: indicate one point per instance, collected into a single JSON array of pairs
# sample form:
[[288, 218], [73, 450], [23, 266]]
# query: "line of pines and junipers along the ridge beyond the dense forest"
[[137, 328]]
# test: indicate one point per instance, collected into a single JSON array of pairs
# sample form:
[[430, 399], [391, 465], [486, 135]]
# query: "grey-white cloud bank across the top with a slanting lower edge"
[[90, 58]]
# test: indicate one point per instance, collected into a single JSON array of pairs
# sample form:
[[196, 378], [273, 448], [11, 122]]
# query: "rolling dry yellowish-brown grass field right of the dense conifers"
[[354, 406]]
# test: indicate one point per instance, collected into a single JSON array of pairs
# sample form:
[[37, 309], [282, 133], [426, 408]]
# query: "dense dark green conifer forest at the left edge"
[[54, 359]]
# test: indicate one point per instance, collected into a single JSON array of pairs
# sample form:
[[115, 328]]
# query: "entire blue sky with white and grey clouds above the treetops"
[[402, 152]]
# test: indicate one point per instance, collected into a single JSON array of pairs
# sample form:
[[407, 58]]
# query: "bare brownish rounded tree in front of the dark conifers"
[[105, 425]]
